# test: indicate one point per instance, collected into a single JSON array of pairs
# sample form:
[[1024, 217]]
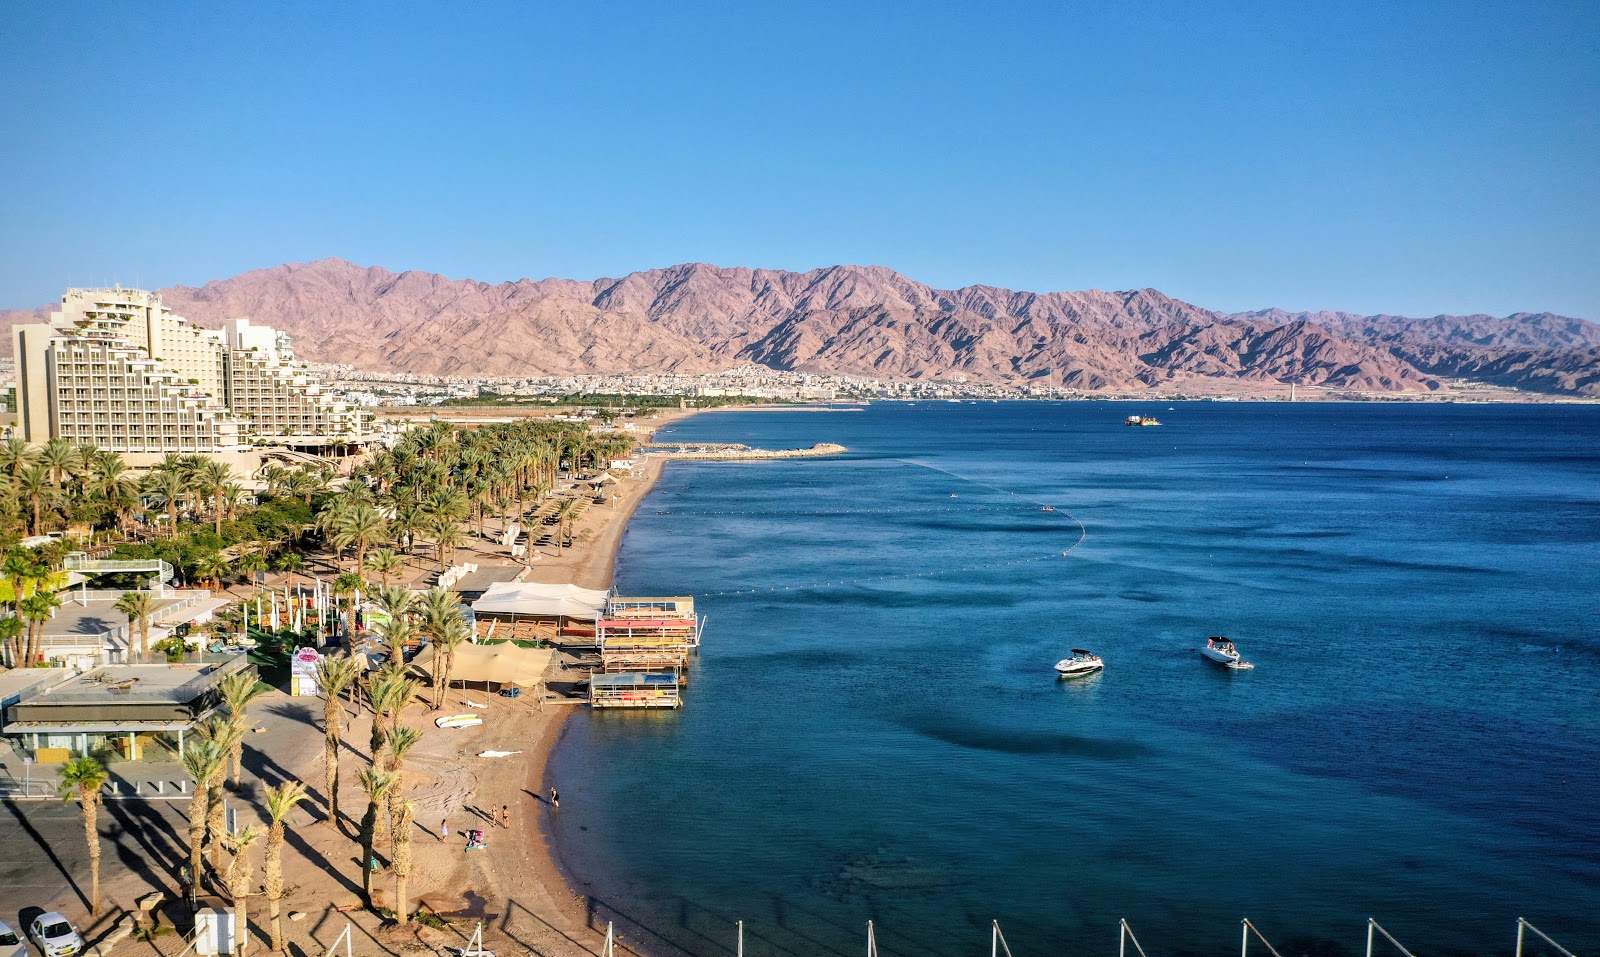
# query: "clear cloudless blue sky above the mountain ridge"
[[1401, 158]]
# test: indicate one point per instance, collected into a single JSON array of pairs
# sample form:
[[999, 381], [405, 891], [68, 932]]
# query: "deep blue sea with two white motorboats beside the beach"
[[1420, 742]]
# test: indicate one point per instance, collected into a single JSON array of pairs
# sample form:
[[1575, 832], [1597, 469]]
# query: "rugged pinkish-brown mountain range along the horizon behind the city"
[[871, 321]]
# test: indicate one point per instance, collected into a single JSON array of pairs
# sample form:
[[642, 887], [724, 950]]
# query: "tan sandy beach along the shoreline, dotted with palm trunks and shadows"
[[514, 886]]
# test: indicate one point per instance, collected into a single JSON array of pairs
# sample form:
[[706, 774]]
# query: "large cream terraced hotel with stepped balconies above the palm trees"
[[118, 370]]
